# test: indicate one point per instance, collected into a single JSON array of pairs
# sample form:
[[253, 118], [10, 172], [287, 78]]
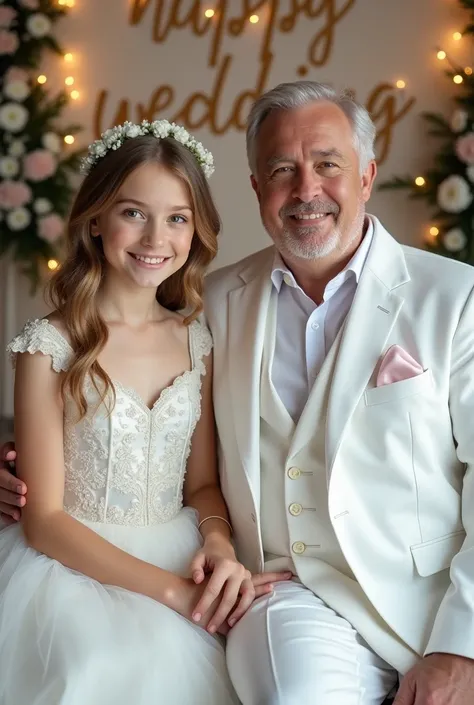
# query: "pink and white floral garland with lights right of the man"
[[449, 186]]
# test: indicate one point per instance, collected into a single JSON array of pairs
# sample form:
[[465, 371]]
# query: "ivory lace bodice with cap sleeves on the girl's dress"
[[126, 467]]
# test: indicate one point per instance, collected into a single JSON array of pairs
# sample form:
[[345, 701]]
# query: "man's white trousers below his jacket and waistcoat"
[[292, 649]]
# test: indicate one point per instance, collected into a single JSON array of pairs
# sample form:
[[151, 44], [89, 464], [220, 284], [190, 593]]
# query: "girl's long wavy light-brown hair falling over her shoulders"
[[74, 287]]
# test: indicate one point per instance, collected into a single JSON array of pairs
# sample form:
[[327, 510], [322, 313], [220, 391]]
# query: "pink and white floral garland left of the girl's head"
[[35, 170]]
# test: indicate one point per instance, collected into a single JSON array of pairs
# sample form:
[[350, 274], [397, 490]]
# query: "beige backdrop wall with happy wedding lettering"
[[132, 60]]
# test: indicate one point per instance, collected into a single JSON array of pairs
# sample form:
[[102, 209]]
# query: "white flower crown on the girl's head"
[[116, 136]]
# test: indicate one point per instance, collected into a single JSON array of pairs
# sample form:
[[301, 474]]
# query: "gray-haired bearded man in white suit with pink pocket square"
[[344, 398]]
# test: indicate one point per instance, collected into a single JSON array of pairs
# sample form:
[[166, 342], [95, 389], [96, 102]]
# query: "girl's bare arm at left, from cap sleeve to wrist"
[[40, 463]]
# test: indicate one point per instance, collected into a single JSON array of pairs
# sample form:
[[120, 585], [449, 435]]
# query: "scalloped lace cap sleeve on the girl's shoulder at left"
[[40, 336]]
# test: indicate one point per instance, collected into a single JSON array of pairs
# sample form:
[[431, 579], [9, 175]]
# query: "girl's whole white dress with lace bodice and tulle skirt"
[[66, 639]]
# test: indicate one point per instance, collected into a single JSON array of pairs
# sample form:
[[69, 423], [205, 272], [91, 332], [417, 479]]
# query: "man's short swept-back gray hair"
[[298, 94]]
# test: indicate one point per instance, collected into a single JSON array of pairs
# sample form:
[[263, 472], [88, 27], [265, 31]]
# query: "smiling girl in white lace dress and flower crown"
[[114, 432]]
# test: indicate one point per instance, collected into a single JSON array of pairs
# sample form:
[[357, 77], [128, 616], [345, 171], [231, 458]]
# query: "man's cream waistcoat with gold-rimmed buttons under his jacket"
[[297, 532]]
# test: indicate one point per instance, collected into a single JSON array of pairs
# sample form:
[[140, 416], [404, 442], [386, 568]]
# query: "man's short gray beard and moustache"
[[306, 245]]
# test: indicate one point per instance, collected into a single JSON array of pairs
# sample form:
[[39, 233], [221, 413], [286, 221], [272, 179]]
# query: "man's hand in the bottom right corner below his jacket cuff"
[[438, 679]]
